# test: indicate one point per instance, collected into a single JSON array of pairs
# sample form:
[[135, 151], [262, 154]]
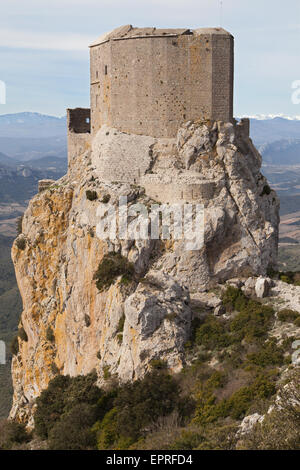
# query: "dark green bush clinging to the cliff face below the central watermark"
[[112, 266]]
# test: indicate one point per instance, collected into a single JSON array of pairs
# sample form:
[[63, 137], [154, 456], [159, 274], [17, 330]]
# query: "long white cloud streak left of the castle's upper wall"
[[16, 39]]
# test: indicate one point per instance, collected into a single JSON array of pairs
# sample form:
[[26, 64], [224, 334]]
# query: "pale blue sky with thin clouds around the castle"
[[44, 57]]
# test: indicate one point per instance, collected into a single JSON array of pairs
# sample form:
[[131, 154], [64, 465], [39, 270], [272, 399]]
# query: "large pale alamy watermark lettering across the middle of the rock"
[[156, 221]]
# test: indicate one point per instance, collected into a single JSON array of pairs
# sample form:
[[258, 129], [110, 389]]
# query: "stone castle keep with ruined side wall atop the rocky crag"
[[148, 81]]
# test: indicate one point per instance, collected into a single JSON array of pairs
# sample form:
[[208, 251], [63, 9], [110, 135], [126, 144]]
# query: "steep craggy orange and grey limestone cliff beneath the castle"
[[71, 326]]
